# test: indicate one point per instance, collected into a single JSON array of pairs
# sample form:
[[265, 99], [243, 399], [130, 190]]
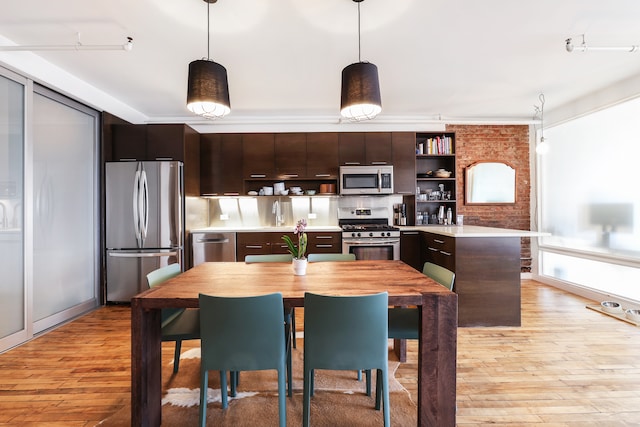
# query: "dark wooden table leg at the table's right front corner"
[[437, 360]]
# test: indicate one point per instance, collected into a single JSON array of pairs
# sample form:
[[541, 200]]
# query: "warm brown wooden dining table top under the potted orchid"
[[404, 284]]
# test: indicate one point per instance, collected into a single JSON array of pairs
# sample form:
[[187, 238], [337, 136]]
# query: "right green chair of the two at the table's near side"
[[346, 333]]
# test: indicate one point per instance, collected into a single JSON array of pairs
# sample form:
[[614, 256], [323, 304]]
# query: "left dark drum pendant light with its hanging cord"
[[207, 87]]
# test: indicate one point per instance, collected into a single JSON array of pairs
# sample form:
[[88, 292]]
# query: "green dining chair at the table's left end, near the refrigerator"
[[178, 324]]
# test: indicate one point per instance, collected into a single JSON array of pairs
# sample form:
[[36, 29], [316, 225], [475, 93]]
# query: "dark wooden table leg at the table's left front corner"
[[146, 374]]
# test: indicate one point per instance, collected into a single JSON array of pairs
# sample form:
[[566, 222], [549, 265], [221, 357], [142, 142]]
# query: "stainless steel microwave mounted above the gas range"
[[366, 180]]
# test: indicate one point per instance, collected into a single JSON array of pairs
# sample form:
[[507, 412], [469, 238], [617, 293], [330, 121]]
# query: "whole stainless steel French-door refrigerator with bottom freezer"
[[144, 223]]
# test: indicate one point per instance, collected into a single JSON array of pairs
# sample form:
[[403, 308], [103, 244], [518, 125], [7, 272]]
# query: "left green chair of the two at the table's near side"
[[242, 334]]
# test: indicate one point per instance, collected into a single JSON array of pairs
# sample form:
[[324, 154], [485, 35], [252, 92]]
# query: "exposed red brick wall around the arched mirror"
[[505, 143]]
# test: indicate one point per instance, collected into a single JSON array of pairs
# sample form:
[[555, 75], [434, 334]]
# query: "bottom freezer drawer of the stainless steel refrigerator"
[[127, 271]]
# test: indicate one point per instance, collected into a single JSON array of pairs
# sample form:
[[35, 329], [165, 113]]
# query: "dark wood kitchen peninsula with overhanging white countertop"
[[486, 261]]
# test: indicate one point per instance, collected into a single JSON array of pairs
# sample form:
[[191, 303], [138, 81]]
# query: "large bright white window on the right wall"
[[590, 202]]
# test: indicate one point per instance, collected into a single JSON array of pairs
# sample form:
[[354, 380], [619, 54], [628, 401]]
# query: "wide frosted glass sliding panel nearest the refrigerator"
[[64, 218]]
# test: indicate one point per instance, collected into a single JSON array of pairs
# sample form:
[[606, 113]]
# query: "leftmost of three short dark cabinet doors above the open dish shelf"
[[258, 152]]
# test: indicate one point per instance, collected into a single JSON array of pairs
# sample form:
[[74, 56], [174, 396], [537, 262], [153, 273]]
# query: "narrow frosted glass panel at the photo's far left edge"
[[12, 294]]
